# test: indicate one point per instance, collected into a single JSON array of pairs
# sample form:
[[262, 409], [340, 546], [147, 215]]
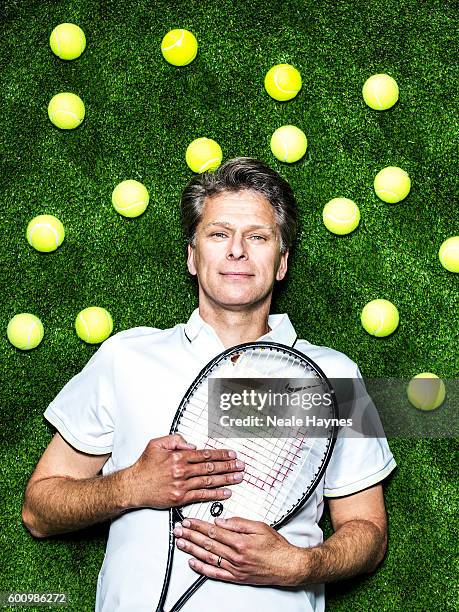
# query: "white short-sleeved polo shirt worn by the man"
[[128, 393]]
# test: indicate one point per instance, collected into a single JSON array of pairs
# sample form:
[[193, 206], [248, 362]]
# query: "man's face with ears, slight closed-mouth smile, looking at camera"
[[237, 251]]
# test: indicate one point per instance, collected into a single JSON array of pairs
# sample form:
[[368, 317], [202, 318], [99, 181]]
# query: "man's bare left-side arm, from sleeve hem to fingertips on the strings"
[[66, 492]]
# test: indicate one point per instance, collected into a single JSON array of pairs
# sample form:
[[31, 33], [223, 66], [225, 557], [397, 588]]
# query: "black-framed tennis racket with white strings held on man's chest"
[[280, 473]]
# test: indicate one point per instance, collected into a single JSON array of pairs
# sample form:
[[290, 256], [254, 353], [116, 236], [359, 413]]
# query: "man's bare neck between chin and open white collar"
[[236, 327]]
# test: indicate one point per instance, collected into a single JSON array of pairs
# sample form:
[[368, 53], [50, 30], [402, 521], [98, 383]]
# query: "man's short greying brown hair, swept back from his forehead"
[[240, 174]]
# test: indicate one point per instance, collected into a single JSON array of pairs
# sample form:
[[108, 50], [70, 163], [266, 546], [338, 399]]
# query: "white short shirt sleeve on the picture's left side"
[[84, 410]]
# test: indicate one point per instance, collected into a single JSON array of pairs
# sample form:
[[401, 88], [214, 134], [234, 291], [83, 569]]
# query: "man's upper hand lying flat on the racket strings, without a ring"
[[171, 472]]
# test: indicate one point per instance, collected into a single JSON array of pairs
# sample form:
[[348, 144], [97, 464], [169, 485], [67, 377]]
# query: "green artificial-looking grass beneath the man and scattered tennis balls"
[[141, 113]]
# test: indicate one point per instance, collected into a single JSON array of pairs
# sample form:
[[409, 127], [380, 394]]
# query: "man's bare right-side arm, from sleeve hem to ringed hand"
[[253, 553]]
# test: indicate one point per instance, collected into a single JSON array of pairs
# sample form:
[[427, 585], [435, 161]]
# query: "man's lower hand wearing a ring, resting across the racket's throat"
[[251, 552]]
